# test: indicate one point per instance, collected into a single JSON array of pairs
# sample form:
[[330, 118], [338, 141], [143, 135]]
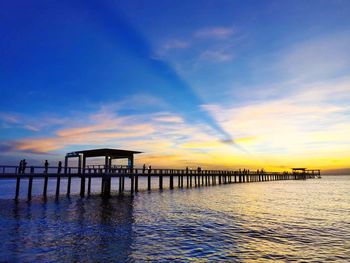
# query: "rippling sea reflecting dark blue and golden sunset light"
[[279, 221]]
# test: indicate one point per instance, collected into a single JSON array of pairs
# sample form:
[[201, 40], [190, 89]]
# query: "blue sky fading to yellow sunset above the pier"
[[217, 84]]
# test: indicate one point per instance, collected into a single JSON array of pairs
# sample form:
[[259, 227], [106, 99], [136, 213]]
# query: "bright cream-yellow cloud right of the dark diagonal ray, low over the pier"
[[314, 121]]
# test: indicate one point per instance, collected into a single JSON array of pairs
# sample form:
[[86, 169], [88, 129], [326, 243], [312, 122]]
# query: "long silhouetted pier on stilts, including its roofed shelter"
[[128, 176]]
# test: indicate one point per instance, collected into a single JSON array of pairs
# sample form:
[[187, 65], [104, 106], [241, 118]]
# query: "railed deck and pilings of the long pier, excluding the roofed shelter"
[[185, 177]]
